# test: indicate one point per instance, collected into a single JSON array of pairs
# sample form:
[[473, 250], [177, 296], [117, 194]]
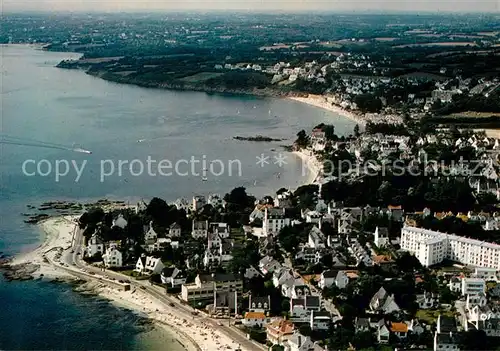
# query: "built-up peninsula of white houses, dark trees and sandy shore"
[[228, 268]]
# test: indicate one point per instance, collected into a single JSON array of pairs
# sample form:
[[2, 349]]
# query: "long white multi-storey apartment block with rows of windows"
[[432, 247]]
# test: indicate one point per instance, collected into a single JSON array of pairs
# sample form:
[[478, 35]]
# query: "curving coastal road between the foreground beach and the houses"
[[72, 258]]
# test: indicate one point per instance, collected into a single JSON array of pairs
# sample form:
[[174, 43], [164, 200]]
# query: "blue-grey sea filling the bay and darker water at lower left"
[[144, 143]]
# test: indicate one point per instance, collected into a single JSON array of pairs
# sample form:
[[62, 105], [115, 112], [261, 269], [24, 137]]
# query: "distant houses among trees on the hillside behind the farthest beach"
[[369, 79]]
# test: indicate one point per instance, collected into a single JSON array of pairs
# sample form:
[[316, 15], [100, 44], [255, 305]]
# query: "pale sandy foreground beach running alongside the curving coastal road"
[[193, 333]]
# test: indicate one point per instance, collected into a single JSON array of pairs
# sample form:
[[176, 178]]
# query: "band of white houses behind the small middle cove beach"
[[370, 151]]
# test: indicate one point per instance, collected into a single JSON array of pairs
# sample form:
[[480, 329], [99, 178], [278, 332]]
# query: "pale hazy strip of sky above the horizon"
[[254, 5]]
